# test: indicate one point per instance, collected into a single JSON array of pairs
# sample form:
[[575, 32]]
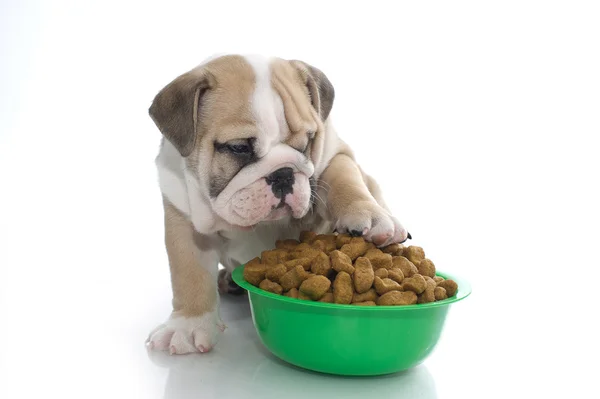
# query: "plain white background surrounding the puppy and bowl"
[[479, 119]]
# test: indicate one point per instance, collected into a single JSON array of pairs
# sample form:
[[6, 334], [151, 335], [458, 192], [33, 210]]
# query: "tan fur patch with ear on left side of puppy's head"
[[207, 105]]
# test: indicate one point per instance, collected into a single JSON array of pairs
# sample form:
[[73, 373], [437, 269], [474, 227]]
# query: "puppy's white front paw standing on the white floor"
[[181, 335]]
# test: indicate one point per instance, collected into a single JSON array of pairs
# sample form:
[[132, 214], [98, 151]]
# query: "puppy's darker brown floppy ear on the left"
[[175, 109]]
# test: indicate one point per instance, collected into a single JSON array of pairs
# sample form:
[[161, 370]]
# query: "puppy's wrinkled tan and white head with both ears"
[[251, 130]]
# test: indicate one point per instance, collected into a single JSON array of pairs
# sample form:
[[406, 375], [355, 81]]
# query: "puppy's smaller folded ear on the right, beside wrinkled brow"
[[319, 87]]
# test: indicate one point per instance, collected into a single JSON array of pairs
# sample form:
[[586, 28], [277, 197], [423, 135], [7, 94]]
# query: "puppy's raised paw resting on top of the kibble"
[[368, 219]]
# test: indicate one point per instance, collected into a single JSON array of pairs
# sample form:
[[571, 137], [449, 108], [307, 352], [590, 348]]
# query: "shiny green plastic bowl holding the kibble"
[[347, 339]]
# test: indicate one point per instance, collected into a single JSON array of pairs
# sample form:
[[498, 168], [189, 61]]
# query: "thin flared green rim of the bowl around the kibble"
[[464, 290]]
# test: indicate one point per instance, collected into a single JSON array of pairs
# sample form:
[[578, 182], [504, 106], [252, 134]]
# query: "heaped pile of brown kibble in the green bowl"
[[339, 268]]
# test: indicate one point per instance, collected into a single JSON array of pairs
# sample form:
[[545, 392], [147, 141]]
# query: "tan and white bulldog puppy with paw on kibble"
[[249, 156]]
